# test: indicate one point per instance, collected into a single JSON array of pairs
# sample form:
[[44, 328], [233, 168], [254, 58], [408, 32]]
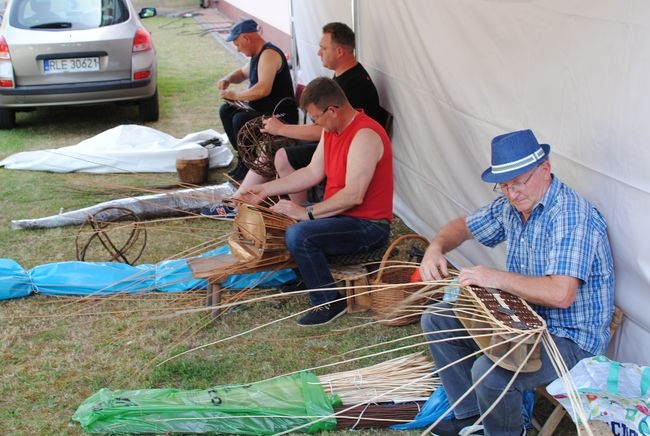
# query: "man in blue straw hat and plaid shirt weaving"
[[558, 260]]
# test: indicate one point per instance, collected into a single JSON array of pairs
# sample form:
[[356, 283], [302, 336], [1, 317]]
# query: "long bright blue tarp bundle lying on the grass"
[[106, 278]]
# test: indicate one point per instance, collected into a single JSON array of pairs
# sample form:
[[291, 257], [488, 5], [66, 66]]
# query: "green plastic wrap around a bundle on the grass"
[[269, 407]]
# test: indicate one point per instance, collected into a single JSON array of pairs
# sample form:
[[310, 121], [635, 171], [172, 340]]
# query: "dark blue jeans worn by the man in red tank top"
[[311, 241]]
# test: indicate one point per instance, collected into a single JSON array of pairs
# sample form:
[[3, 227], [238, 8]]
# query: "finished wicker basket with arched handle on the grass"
[[396, 268]]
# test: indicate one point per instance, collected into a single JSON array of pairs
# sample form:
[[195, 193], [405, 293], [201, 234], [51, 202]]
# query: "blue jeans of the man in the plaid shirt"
[[505, 418]]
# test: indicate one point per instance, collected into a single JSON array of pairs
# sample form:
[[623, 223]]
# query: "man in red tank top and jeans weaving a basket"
[[354, 155]]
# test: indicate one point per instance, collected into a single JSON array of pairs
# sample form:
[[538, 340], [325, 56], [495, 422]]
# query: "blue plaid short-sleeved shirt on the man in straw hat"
[[564, 235]]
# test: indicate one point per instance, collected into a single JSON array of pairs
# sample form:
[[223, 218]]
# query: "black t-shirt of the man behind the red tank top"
[[360, 91]]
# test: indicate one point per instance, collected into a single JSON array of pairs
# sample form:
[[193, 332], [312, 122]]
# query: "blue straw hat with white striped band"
[[513, 154]]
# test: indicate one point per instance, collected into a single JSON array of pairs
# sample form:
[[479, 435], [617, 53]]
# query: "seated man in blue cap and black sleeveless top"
[[270, 86]]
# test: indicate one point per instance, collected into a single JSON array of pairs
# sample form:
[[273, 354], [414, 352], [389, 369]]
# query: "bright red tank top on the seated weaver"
[[378, 201]]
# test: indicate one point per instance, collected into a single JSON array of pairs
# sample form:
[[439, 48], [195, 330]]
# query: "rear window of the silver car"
[[67, 14]]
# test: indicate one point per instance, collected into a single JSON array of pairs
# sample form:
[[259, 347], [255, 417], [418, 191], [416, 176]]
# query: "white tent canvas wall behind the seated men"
[[456, 73]]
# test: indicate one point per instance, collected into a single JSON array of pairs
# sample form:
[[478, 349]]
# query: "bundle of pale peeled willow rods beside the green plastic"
[[399, 380]]
